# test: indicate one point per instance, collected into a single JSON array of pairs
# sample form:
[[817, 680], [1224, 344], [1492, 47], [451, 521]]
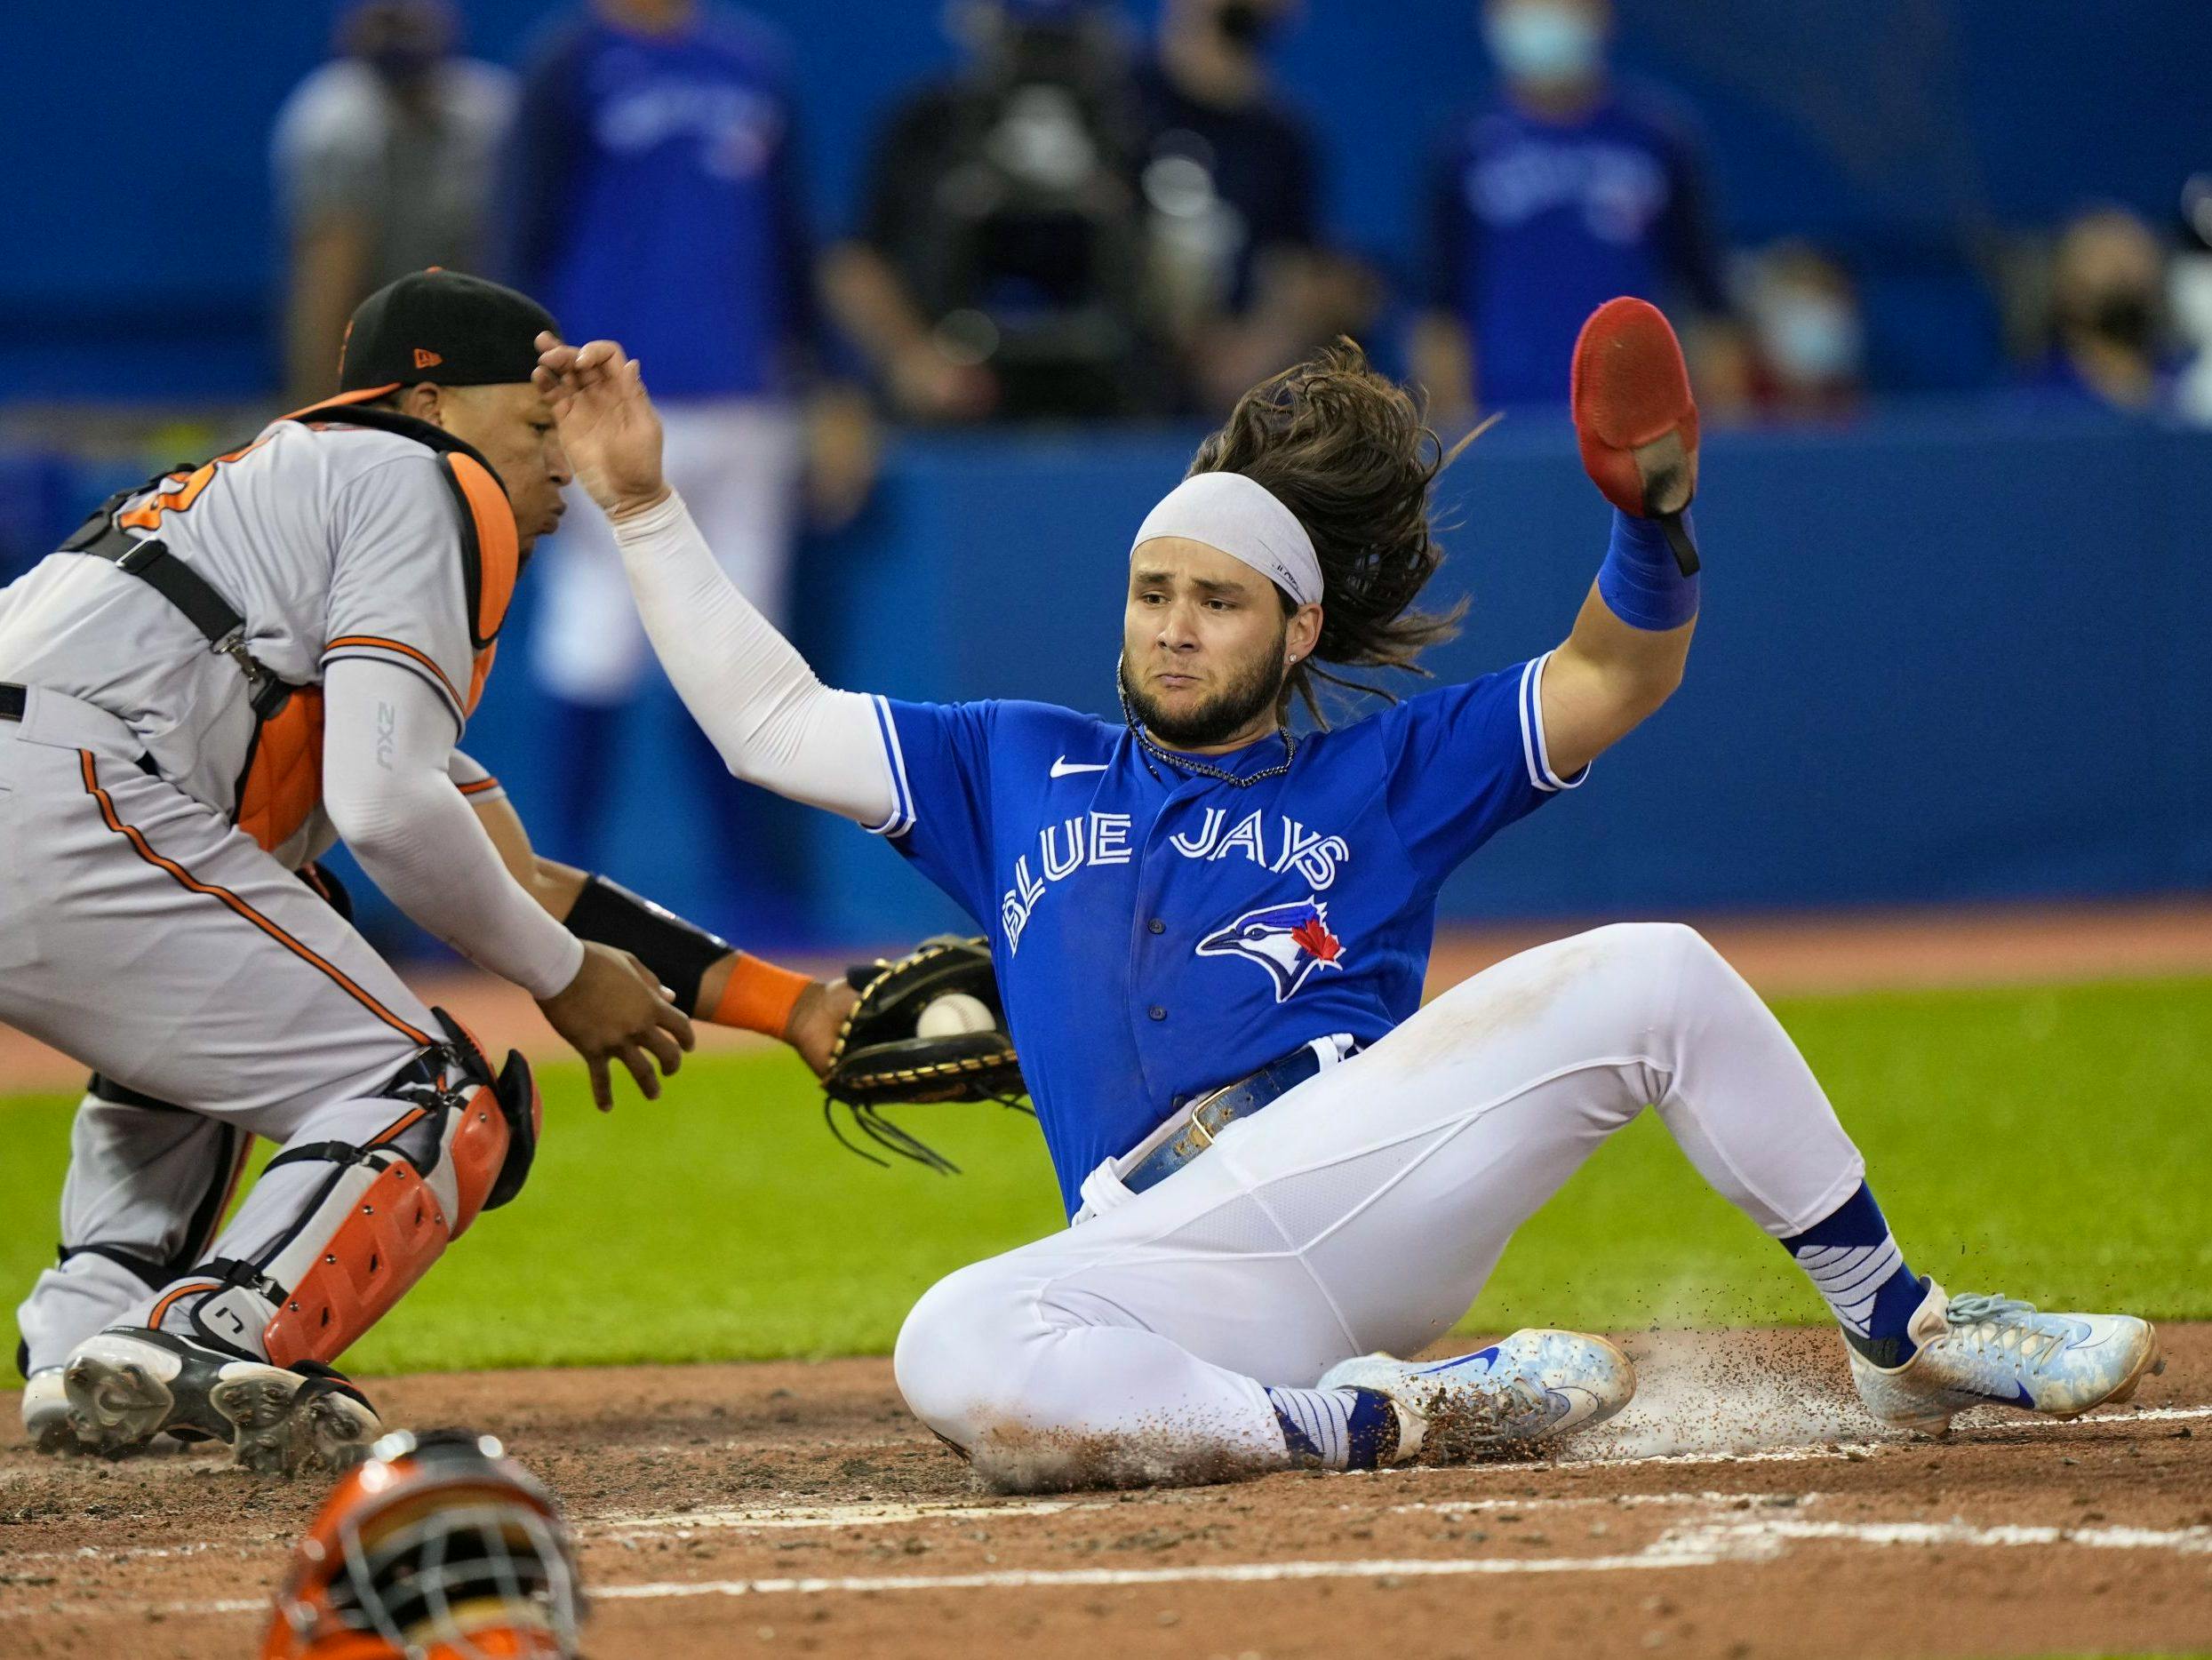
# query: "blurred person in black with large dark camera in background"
[[1001, 260]]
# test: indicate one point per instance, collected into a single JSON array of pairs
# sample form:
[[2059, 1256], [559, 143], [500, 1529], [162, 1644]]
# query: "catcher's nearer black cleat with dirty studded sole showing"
[[132, 1385]]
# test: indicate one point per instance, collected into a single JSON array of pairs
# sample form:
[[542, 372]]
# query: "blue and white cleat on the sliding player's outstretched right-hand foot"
[[1994, 1352]]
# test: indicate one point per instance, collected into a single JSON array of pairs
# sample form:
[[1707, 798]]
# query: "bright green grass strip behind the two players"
[[2049, 1144]]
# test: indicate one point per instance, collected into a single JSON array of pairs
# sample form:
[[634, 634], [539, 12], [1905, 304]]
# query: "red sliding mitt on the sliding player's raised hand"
[[1636, 419]]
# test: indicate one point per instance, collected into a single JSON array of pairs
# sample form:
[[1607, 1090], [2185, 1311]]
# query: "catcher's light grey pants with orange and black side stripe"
[[156, 943]]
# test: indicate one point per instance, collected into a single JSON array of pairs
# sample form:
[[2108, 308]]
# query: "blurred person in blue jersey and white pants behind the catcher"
[[654, 191]]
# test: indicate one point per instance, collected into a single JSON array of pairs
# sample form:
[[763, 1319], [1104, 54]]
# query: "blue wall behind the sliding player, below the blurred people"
[[1950, 655]]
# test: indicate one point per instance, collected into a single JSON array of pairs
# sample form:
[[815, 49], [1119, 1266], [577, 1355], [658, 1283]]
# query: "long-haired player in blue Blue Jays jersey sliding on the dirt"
[[1211, 941]]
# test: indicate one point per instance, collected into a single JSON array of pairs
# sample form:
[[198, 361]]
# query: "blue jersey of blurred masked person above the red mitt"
[[1534, 224]]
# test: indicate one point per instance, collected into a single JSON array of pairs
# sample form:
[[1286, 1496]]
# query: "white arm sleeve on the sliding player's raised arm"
[[755, 697]]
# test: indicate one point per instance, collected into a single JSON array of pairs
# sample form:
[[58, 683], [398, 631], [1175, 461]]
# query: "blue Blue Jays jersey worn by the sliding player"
[[1160, 934]]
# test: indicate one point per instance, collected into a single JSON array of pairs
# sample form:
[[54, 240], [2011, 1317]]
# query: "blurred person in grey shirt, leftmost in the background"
[[384, 167]]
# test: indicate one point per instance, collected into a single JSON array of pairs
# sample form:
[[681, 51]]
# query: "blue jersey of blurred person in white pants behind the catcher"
[[654, 196]]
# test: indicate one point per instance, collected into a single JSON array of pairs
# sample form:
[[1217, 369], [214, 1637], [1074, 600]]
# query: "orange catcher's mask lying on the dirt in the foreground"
[[435, 1548]]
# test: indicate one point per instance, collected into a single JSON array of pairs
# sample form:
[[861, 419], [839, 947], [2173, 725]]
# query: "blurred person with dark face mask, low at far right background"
[[2107, 317]]
